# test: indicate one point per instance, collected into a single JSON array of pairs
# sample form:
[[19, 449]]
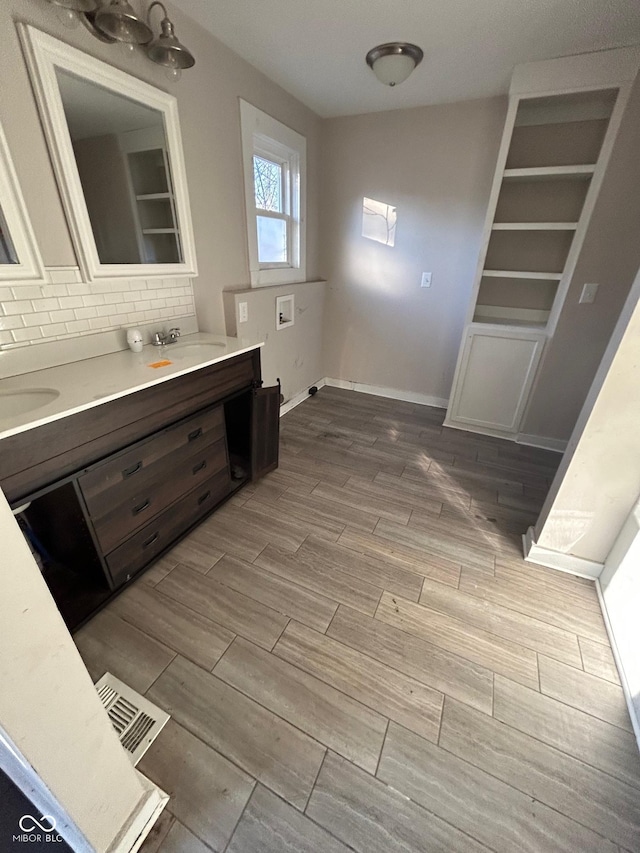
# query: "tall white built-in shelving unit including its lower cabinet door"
[[559, 132]]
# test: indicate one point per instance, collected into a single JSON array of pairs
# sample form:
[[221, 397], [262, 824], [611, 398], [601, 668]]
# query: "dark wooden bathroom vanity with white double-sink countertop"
[[132, 453]]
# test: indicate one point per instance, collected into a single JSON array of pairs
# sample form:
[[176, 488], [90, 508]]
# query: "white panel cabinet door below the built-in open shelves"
[[495, 374]]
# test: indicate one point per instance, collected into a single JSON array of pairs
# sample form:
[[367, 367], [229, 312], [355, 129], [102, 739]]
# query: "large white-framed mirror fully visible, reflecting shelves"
[[117, 153]]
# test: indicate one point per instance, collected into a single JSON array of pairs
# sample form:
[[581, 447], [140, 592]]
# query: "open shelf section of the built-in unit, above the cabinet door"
[[555, 143]]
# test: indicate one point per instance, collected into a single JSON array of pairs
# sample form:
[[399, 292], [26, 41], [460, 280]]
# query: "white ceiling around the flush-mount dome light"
[[315, 49]]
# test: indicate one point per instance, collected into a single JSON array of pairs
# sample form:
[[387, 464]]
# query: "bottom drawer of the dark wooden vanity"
[[147, 543]]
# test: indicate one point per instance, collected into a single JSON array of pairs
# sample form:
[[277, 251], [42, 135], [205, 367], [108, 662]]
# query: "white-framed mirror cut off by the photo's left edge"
[[20, 261]]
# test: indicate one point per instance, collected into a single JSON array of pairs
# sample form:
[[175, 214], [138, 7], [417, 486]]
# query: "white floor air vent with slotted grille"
[[137, 721]]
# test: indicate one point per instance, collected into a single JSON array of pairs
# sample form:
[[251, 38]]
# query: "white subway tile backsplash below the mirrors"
[[67, 307]]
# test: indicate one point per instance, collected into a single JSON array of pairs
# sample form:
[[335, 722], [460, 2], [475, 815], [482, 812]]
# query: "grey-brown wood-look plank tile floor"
[[356, 657]]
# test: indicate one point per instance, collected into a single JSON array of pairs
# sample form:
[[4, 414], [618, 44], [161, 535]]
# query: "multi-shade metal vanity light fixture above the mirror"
[[116, 22]]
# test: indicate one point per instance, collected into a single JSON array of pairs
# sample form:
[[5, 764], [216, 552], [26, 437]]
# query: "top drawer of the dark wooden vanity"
[[123, 473]]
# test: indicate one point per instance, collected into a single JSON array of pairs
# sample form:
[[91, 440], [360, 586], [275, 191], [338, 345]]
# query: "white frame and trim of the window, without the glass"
[[265, 137]]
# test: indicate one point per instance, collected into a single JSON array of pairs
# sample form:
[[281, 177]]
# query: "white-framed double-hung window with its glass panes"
[[274, 171]]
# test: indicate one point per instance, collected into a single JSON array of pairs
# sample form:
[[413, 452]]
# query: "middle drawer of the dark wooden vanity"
[[157, 493]]
